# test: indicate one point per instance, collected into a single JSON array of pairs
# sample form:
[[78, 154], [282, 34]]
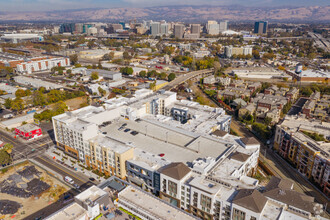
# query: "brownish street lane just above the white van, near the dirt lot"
[[80, 180]]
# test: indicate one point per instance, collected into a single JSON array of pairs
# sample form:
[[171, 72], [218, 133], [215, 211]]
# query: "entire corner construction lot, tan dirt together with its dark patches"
[[26, 189]]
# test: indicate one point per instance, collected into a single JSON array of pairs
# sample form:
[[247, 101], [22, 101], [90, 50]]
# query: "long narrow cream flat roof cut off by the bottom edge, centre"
[[152, 205]]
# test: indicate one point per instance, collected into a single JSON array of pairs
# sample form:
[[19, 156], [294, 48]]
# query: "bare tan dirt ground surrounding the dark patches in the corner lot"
[[33, 203]]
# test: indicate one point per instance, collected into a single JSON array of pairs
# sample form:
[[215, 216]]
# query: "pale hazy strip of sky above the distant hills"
[[49, 5]]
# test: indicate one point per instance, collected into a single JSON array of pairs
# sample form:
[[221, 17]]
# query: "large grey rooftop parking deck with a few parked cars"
[[176, 144]]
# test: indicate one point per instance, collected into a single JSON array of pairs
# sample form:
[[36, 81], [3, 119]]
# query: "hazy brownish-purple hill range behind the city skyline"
[[177, 13]]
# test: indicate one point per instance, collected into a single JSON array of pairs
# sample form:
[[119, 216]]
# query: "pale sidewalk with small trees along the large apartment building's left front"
[[70, 164]]
